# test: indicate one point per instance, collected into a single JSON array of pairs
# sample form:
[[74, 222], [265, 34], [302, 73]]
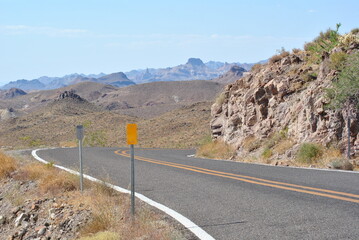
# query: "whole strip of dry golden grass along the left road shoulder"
[[110, 210]]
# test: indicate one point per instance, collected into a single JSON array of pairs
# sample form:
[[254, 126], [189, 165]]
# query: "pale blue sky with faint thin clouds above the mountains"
[[58, 37]]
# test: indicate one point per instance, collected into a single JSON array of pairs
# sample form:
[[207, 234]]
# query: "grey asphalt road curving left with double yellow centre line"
[[231, 200]]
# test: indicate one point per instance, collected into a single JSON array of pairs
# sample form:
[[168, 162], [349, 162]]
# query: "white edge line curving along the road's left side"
[[191, 226]]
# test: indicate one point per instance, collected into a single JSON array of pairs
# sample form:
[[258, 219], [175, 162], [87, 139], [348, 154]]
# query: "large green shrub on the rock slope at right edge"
[[346, 86]]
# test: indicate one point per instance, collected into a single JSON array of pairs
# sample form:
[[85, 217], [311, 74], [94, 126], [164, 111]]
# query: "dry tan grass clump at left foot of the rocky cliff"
[[216, 149]]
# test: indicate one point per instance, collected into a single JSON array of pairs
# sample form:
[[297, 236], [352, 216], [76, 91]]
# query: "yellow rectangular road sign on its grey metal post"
[[132, 140]]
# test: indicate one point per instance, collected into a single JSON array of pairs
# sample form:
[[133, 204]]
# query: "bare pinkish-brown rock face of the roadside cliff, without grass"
[[274, 98]]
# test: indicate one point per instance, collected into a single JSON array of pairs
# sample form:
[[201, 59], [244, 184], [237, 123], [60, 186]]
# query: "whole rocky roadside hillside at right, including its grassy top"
[[284, 102]]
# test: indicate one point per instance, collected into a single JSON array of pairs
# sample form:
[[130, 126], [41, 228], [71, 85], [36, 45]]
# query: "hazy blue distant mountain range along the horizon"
[[194, 69]]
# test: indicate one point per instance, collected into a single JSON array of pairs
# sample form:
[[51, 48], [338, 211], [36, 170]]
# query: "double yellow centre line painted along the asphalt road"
[[349, 197]]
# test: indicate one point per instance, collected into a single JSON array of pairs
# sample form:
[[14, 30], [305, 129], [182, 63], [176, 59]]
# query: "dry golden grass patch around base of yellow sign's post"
[[111, 217]]
